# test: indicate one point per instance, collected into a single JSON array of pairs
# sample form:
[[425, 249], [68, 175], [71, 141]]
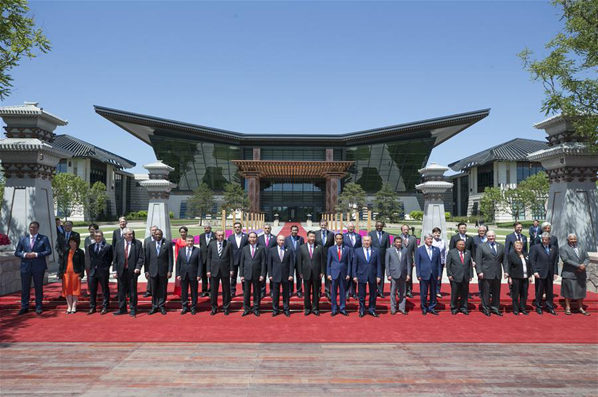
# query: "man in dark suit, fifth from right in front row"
[[459, 269]]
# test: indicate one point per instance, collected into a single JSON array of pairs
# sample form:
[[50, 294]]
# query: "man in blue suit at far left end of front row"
[[33, 249]]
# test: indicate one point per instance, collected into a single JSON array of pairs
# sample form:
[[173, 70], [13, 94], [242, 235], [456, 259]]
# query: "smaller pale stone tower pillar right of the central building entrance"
[[433, 188]]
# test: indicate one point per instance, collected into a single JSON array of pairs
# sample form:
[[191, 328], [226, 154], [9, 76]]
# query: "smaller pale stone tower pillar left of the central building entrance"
[[158, 189]]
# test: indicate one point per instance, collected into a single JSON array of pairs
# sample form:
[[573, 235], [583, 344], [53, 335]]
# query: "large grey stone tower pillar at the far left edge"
[[29, 162]]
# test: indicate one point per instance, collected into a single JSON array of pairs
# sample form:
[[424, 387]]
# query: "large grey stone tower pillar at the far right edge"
[[572, 171]]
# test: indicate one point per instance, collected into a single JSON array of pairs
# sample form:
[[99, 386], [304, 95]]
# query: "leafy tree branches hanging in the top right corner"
[[569, 71]]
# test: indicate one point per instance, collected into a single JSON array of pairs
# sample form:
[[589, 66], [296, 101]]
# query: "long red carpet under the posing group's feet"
[[56, 326]]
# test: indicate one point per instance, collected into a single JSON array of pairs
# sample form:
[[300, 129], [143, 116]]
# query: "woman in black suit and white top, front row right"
[[520, 275]]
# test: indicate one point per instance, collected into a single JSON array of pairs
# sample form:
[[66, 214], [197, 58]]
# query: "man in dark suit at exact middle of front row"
[[311, 270]]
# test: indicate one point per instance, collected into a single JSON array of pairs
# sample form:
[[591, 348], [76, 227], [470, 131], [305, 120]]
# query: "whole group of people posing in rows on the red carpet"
[[349, 263]]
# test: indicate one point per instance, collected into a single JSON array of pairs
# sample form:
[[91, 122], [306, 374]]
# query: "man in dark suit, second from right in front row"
[[544, 260]]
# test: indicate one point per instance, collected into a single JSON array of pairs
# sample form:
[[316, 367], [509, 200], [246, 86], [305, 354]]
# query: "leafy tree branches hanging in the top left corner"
[[18, 38]]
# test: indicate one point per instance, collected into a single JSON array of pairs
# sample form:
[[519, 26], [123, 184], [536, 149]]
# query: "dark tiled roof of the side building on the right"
[[514, 150]]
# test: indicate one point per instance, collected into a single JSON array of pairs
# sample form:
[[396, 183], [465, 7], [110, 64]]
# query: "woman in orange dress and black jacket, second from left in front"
[[71, 271]]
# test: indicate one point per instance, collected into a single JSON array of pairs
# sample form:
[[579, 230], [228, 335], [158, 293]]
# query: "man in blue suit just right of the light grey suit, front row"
[[428, 270]]
